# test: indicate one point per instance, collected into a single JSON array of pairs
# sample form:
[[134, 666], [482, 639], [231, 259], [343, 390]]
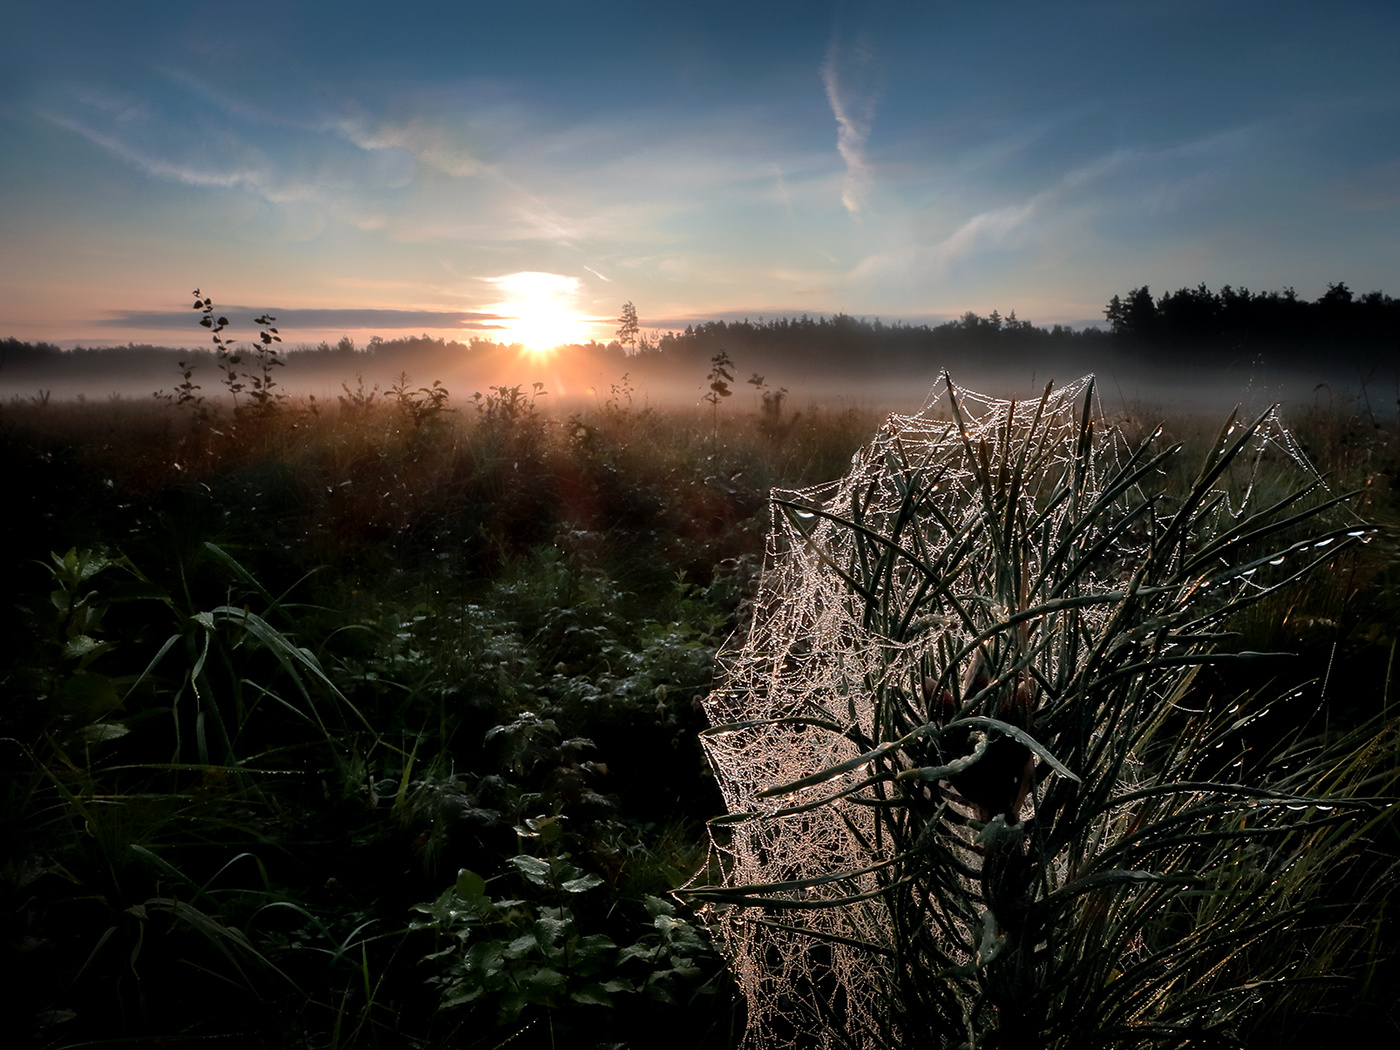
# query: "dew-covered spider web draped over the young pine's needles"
[[797, 689]]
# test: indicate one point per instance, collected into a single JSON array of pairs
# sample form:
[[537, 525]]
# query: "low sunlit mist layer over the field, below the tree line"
[[587, 381]]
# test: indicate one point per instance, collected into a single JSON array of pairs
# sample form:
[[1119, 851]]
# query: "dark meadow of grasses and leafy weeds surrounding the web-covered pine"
[[377, 726]]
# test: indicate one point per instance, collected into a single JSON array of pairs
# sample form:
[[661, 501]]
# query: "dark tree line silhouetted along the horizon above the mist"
[[1192, 325]]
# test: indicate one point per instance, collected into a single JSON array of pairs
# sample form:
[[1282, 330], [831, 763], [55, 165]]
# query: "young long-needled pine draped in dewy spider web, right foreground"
[[979, 793]]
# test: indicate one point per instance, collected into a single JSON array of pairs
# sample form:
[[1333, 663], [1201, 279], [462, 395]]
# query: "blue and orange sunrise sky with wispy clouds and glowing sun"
[[519, 171]]
